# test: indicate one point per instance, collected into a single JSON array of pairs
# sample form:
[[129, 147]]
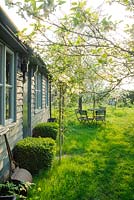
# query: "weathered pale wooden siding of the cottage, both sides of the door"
[[14, 131]]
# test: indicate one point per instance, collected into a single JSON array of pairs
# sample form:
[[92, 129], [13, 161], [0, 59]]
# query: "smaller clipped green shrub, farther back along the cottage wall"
[[46, 129]]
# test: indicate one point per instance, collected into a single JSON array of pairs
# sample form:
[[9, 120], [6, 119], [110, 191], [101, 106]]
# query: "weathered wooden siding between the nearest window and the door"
[[14, 131]]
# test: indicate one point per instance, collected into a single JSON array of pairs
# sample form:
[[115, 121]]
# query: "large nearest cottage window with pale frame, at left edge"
[[6, 85]]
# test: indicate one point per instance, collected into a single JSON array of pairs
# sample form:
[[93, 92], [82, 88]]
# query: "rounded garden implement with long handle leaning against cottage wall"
[[17, 174]]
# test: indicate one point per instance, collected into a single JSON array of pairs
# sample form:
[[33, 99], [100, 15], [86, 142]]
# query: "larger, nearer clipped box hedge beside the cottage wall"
[[34, 154]]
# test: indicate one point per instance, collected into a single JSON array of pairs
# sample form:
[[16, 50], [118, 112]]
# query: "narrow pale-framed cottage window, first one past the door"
[[38, 91]]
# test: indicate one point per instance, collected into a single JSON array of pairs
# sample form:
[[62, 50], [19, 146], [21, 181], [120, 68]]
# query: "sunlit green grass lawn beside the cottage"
[[97, 162]]
